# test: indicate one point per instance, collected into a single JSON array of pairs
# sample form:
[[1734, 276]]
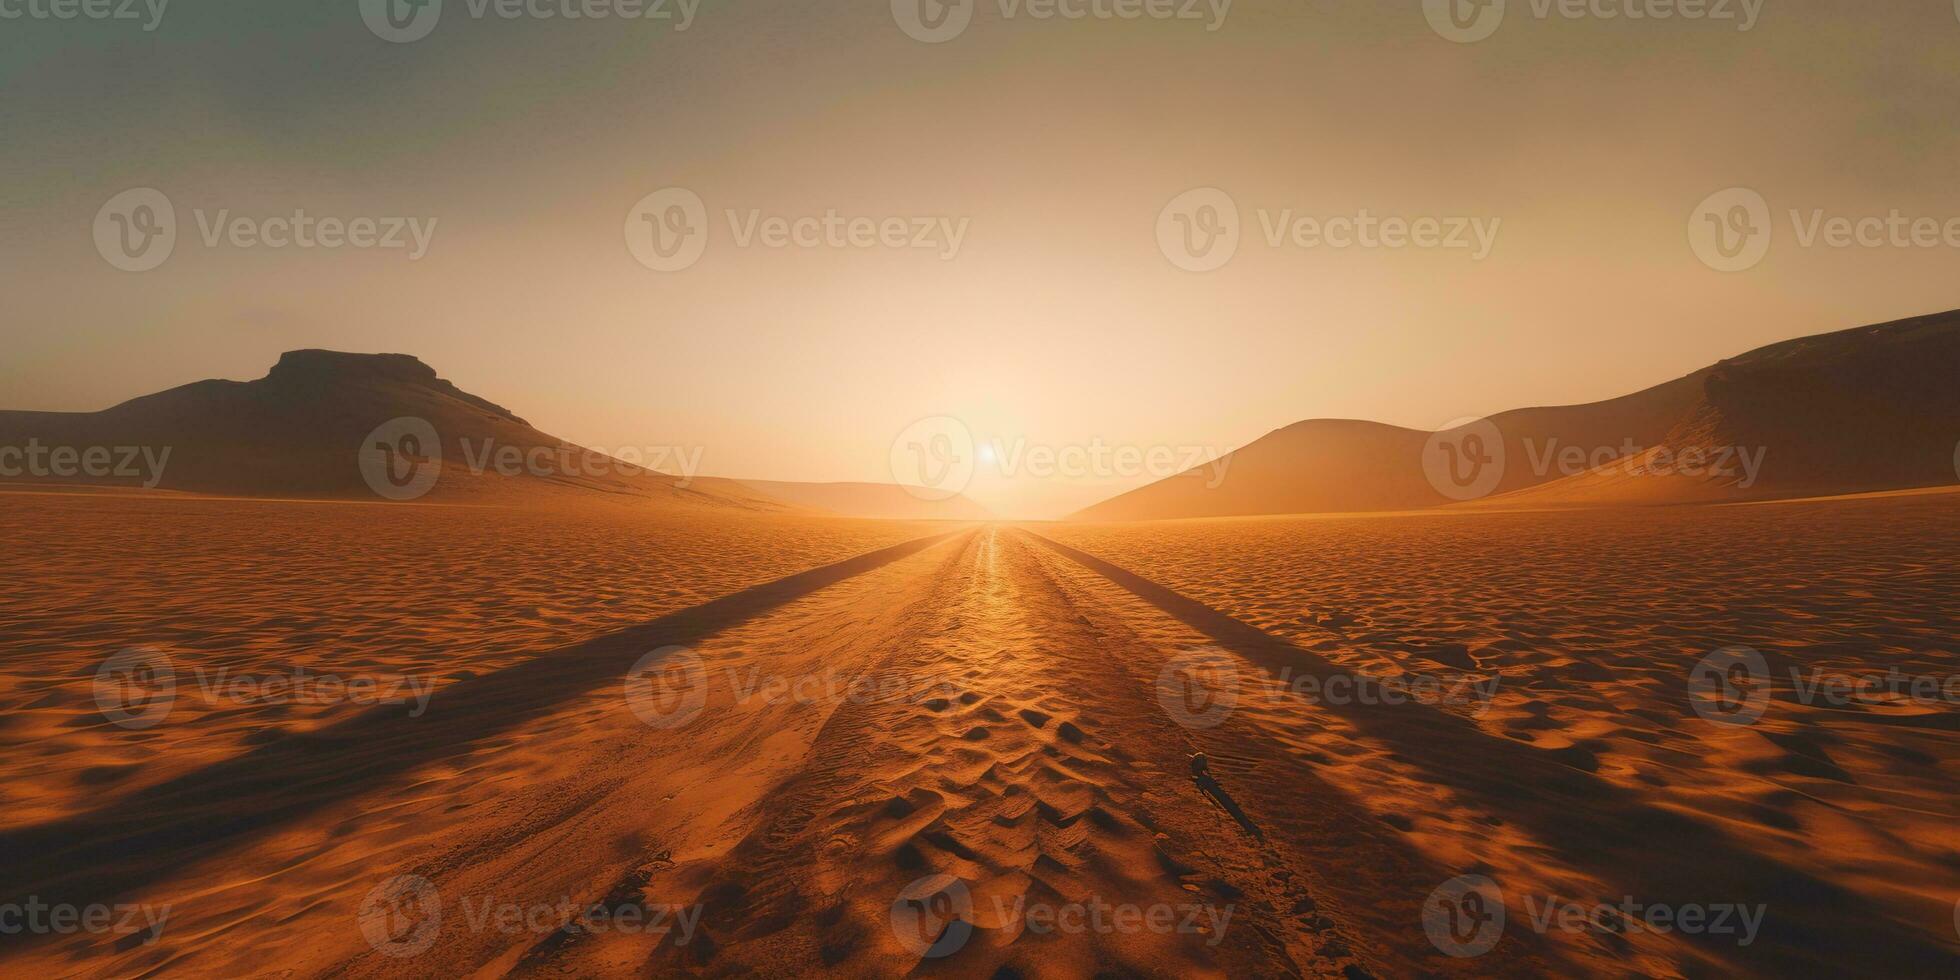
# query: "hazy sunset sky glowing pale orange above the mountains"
[[1067, 291]]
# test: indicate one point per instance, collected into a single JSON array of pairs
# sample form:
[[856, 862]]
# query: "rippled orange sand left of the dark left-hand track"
[[246, 589]]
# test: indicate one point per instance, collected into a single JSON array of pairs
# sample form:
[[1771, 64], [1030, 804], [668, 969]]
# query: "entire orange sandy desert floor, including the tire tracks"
[[873, 750]]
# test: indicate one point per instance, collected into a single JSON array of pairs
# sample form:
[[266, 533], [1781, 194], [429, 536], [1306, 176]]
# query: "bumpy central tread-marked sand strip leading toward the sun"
[[1022, 789]]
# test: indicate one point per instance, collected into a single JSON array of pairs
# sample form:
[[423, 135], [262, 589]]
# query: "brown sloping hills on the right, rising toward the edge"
[[1867, 409]]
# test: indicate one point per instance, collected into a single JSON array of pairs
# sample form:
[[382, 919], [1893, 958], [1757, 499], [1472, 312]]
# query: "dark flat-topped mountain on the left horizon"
[[315, 428]]
